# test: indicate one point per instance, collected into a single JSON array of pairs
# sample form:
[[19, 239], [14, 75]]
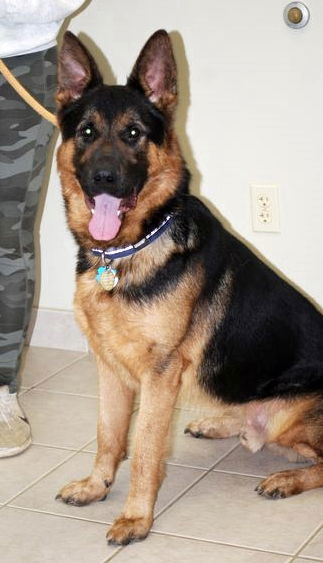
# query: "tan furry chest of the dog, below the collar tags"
[[134, 335]]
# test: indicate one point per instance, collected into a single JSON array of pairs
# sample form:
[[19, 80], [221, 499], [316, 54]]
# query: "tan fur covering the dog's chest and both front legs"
[[139, 352]]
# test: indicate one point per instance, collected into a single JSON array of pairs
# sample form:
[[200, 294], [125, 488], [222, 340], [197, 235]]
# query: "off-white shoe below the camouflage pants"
[[15, 433]]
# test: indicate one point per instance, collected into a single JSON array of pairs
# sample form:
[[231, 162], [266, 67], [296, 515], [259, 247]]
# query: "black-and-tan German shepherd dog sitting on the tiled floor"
[[167, 296]]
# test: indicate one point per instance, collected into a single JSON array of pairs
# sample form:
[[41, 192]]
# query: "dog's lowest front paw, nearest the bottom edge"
[[125, 530]]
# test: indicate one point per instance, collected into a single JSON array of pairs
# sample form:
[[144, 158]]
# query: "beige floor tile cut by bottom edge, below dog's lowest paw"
[[167, 549]]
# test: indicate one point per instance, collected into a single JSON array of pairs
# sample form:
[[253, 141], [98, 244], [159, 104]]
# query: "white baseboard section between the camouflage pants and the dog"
[[51, 328]]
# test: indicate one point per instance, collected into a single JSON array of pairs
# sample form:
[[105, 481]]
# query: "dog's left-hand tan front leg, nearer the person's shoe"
[[115, 408]]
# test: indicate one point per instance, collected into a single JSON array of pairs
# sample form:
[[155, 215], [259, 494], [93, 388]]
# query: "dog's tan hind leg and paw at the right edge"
[[303, 433]]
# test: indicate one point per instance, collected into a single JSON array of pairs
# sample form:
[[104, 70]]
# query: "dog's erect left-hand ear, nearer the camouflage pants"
[[77, 70]]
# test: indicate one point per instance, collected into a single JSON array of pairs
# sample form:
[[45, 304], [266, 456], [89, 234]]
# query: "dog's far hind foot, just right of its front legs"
[[225, 423]]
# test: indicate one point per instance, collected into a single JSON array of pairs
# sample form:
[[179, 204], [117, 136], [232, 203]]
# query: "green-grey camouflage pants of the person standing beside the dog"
[[24, 139]]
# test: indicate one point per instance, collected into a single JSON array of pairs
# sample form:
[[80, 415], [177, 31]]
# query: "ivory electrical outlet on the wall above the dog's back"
[[265, 208]]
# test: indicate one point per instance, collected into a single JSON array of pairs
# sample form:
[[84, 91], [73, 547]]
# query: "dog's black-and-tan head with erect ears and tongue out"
[[119, 158]]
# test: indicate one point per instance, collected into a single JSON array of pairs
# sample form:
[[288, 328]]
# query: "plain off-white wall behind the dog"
[[251, 112]]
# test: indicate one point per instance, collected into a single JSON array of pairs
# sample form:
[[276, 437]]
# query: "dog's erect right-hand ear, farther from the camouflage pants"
[[155, 73]]
